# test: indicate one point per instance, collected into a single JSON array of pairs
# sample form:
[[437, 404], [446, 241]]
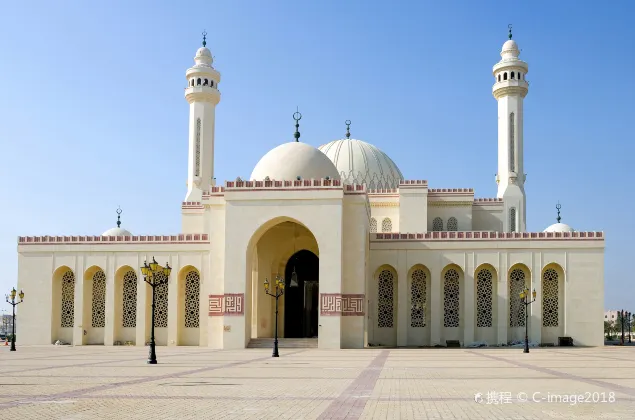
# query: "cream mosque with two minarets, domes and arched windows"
[[365, 256]]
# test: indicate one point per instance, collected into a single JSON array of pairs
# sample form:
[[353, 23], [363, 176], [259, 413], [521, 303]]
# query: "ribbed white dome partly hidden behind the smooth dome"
[[359, 162]]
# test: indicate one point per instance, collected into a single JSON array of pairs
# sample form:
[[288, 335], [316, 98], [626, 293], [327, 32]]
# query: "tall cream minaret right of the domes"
[[510, 88]]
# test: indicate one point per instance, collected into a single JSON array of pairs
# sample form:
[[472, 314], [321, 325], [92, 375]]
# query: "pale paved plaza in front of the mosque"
[[62, 382]]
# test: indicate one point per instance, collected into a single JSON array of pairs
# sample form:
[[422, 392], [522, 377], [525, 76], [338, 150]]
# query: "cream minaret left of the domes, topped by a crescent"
[[202, 94]]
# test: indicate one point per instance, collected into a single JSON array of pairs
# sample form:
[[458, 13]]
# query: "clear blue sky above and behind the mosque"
[[92, 113]]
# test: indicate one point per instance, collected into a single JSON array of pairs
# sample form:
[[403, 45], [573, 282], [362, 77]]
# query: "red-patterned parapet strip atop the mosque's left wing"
[[194, 238]]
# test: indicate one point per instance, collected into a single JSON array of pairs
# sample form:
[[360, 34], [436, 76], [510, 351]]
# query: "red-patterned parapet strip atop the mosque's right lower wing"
[[479, 236]]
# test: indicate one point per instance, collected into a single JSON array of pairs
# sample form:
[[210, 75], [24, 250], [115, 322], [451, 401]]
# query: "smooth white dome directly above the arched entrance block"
[[292, 160]]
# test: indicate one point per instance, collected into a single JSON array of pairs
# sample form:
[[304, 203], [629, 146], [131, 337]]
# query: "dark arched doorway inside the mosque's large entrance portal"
[[301, 301]]
